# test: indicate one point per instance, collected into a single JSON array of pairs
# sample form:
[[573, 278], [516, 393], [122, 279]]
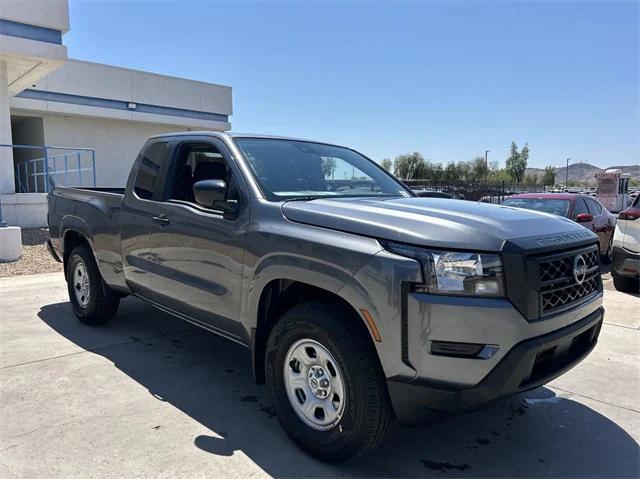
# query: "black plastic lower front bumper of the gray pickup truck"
[[527, 365]]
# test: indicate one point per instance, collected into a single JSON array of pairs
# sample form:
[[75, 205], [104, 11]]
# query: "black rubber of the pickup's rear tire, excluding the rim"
[[102, 303]]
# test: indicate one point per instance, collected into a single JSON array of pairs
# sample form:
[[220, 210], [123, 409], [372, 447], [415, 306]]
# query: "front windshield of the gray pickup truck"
[[289, 169]]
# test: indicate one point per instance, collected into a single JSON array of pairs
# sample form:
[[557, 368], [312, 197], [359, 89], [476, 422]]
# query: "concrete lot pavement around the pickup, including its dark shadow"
[[150, 396]]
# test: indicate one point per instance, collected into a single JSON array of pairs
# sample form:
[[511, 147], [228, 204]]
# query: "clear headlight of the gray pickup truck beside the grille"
[[454, 272]]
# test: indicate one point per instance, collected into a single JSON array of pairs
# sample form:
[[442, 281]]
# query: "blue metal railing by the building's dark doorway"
[[65, 169]]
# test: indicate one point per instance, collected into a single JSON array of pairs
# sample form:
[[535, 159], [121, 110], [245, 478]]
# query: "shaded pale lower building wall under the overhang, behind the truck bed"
[[116, 142]]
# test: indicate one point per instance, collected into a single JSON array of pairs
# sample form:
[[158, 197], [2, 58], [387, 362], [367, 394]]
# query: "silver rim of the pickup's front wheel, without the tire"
[[314, 384]]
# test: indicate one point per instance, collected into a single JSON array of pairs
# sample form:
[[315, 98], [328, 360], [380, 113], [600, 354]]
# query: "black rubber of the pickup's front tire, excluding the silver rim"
[[368, 415]]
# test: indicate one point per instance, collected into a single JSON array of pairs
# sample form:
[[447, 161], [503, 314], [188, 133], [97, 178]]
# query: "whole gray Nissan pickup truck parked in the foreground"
[[362, 304]]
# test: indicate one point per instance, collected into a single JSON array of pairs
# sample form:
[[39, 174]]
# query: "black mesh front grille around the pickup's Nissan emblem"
[[559, 287]]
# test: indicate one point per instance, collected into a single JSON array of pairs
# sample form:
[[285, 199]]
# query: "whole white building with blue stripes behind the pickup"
[[97, 112]]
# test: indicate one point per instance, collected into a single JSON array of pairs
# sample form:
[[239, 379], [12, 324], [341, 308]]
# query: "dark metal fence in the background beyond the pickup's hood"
[[473, 190]]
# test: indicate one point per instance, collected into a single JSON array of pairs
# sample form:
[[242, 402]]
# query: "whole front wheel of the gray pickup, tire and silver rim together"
[[326, 384]]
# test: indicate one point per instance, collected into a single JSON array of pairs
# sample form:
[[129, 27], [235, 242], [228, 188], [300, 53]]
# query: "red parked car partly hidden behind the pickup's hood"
[[581, 208]]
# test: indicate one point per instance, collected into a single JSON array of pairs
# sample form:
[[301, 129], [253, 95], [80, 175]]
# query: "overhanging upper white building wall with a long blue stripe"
[[88, 89]]
